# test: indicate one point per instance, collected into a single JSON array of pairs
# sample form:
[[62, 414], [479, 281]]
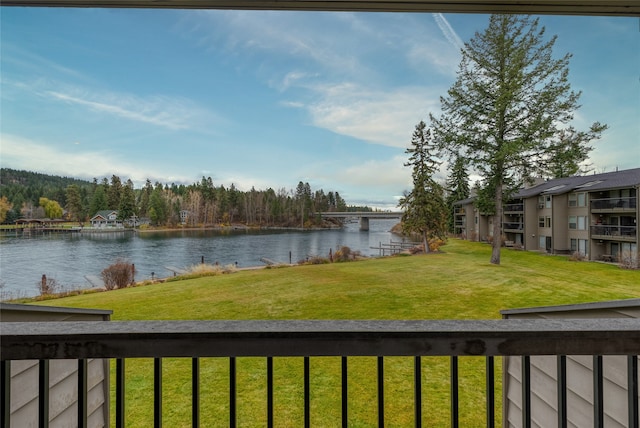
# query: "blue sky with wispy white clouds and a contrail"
[[267, 99]]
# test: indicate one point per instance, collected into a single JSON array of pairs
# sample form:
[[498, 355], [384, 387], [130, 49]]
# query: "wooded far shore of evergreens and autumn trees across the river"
[[25, 194]]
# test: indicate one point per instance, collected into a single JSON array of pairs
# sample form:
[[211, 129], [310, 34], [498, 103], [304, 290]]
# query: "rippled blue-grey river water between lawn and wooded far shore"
[[70, 257]]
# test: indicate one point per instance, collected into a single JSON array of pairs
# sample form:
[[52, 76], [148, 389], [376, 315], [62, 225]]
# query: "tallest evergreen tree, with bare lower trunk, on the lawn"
[[507, 108]]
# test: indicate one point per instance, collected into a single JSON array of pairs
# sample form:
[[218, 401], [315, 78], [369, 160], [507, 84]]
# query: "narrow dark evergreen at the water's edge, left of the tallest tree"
[[424, 207]]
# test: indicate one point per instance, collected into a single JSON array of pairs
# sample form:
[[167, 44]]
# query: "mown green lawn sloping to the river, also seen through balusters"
[[459, 283]]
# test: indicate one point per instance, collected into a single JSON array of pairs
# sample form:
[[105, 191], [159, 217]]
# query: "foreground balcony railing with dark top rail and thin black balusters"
[[270, 339]]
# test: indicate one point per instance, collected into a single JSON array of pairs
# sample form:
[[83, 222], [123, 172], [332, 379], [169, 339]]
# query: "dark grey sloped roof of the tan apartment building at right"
[[587, 183]]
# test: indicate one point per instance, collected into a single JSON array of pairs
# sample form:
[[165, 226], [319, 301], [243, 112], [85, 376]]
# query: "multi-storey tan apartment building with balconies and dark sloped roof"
[[595, 215]]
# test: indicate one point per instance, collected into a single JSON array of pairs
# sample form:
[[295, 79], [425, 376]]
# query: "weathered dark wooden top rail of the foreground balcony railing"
[[131, 339]]
